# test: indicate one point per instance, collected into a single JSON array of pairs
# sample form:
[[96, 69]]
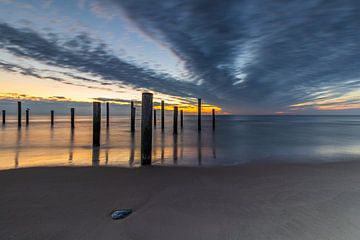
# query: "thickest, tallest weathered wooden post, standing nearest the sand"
[[146, 128]]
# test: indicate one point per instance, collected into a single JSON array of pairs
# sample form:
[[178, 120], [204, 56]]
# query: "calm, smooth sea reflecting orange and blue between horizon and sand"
[[237, 139]]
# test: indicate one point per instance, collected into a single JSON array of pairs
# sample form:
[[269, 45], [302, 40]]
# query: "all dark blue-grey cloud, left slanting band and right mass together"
[[245, 55]]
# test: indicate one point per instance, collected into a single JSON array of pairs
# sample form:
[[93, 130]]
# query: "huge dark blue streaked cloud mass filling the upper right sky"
[[283, 51]]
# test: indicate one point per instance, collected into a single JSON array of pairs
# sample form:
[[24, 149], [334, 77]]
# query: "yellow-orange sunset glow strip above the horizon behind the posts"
[[19, 87]]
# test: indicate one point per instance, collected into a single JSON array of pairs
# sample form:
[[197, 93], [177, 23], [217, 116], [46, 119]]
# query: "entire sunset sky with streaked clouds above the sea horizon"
[[239, 56]]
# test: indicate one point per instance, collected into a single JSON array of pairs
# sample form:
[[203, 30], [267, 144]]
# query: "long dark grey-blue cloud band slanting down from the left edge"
[[85, 55]]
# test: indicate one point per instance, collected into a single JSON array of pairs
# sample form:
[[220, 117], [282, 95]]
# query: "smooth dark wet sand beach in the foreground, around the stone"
[[275, 201]]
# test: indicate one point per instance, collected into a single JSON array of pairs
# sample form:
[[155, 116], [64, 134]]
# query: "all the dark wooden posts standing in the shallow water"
[[147, 118]]
